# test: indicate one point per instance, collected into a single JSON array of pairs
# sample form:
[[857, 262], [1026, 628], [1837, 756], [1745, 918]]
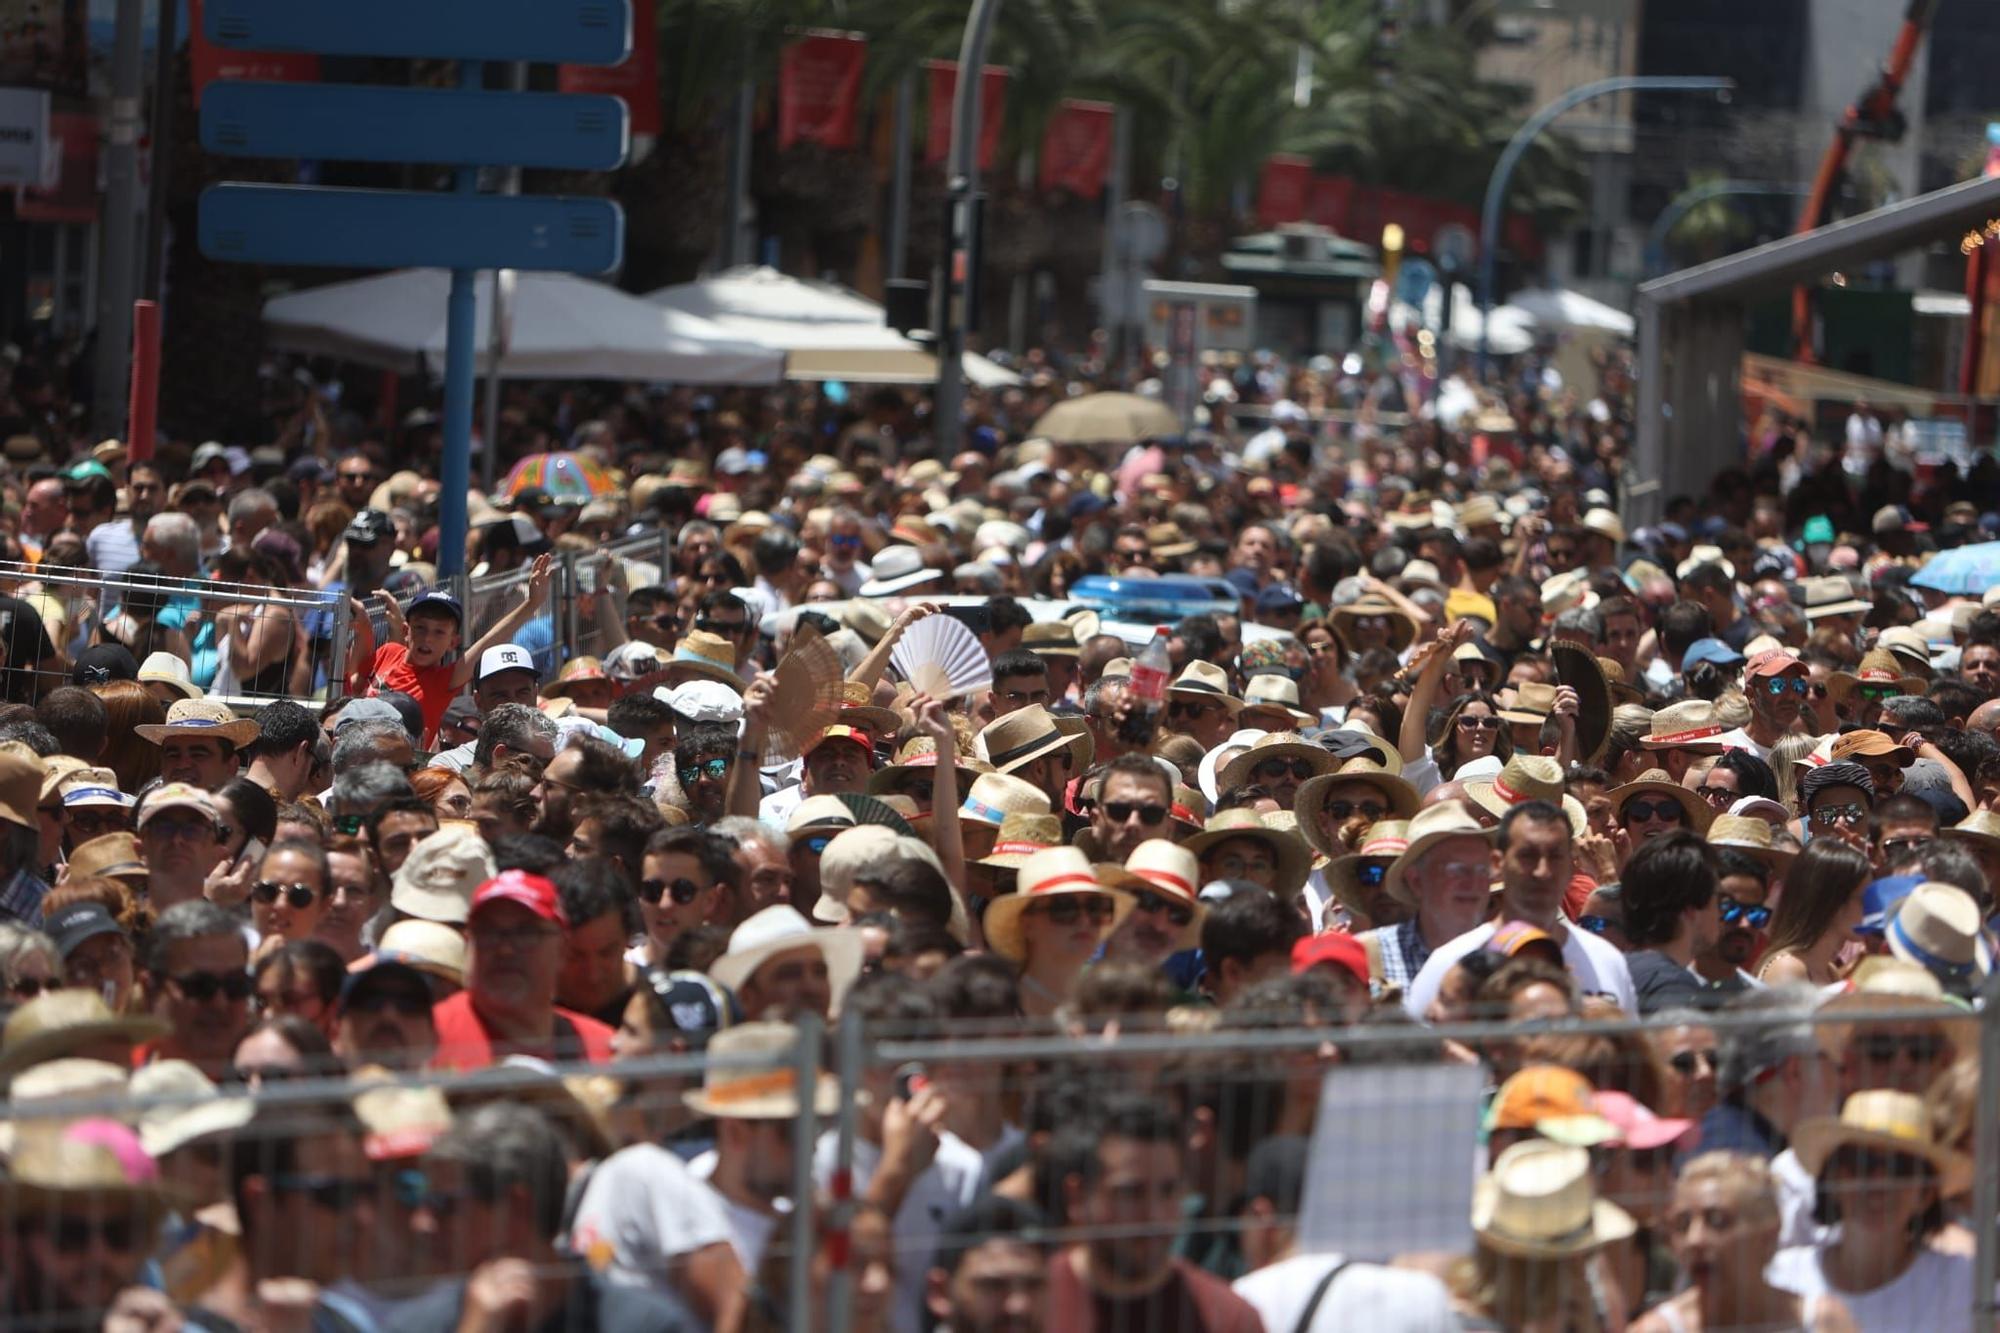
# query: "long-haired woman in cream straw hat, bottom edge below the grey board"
[[1539, 1222]]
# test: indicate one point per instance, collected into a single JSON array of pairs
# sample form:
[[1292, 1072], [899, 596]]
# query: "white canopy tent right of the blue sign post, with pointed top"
[[825, 331]]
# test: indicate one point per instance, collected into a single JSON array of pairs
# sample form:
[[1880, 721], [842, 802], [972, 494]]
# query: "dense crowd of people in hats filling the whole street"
[[1453, 772]]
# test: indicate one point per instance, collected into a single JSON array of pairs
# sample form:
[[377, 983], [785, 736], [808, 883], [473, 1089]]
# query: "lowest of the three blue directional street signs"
[[393, 229]]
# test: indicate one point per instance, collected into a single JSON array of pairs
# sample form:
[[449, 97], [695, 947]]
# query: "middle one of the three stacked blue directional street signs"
[[453, 127]]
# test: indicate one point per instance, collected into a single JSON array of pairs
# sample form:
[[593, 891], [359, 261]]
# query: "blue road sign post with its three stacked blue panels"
[[465, 129]]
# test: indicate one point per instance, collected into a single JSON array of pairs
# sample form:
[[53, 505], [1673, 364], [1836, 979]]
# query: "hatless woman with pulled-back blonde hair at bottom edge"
[[1723, 1224]]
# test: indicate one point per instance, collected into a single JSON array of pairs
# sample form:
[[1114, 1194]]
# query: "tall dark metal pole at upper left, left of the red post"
[[119, 257]]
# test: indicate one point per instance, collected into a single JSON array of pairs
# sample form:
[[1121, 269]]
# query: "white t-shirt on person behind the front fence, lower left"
[[641, 1212]]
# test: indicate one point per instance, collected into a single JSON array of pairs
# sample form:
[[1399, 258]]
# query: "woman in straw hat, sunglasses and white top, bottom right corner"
[[1881, 1184]]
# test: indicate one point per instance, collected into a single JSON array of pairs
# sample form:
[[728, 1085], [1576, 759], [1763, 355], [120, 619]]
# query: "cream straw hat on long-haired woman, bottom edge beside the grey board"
[[1539, 1202]]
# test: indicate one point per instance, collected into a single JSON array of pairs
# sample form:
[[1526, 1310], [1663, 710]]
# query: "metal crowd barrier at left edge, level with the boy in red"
[[191, 617]]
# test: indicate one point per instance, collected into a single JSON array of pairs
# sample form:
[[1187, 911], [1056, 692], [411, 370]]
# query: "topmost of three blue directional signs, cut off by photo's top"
[[553, 31]]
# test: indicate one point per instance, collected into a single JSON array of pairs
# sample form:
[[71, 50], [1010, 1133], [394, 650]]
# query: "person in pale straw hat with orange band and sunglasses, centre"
[[1053, 926]]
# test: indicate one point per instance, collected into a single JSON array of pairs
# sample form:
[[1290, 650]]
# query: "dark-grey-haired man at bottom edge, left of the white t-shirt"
[[497, 1186]]
